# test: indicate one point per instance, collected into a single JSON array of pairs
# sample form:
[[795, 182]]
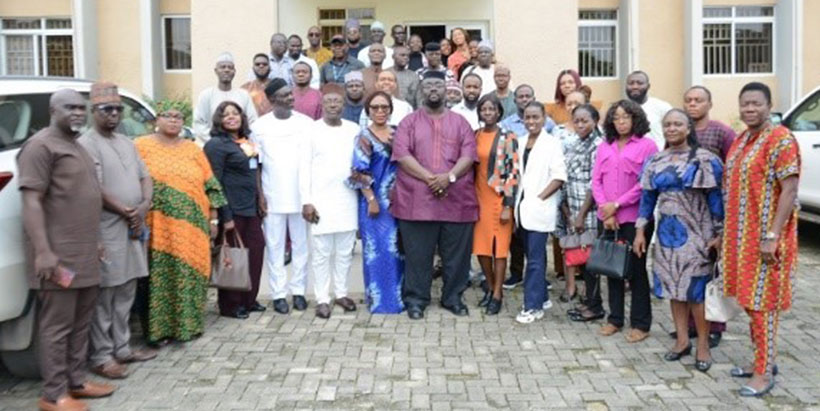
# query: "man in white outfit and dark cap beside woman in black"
[[280, 136]]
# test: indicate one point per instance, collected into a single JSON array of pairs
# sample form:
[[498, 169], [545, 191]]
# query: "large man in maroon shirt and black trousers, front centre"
[[435, 200]]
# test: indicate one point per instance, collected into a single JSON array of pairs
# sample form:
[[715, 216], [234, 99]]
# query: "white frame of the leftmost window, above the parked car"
[[40, 47]]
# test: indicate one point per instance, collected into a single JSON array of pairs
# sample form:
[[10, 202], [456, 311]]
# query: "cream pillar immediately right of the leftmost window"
[[84, 21]]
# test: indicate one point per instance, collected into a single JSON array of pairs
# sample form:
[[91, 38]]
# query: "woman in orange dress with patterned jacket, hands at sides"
[[496, 180]]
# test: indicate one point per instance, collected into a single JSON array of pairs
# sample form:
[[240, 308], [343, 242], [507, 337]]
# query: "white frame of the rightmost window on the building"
[[733, 21]]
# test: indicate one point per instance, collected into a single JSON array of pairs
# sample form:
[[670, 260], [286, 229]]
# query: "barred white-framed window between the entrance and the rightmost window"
[[597, 43]]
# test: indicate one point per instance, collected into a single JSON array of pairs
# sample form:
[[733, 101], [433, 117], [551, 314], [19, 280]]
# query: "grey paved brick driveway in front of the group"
[[363, 361]]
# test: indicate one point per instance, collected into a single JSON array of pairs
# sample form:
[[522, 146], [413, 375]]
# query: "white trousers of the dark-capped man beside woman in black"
[[276, 227]]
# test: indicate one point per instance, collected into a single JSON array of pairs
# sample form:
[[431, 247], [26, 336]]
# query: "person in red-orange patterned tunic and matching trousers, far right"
[[760, 231]]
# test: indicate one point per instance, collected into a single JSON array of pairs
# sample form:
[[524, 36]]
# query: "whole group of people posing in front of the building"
[[442, 162]]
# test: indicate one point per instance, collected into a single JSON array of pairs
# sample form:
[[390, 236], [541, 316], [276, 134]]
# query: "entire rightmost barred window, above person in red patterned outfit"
[[738, 40]]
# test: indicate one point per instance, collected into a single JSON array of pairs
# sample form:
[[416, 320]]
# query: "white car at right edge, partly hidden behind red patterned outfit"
[[804, 121]]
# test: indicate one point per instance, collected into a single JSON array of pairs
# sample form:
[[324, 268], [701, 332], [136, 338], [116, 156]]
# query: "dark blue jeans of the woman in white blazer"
[[535, 284]]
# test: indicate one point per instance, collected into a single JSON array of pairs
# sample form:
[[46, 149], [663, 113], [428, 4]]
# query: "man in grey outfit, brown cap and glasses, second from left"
[[126, 193]]
